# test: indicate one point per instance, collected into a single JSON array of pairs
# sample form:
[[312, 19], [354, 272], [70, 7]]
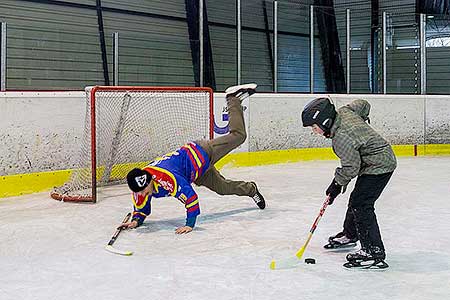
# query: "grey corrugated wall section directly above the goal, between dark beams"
[[153, 50]]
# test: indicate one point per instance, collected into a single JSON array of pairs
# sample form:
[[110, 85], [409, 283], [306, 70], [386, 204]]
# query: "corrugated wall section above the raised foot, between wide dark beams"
[[257, 45]]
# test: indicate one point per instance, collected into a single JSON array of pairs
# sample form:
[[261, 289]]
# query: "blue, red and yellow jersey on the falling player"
[[173, 175]]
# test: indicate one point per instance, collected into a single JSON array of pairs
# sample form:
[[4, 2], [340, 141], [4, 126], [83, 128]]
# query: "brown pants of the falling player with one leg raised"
[[221, 146]]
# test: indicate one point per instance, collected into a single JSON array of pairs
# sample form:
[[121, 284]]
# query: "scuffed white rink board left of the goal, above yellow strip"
[[40, 131]]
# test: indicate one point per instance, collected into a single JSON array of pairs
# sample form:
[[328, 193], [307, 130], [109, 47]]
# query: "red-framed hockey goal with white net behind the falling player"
[[127, 127]]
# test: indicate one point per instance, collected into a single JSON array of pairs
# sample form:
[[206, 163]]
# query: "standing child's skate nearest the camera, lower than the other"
[[365, 259]]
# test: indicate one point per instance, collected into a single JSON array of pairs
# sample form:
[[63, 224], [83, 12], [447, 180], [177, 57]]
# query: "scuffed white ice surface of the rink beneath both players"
[[53, 250]]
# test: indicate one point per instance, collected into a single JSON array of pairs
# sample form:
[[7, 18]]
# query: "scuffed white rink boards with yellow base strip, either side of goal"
[[41, 132]]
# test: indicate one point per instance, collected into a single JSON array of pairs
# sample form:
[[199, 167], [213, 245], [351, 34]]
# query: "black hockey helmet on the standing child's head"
[[319, 111]]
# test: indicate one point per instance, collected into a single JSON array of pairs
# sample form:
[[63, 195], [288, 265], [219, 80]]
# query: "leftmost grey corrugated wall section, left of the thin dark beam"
[[51, 46]]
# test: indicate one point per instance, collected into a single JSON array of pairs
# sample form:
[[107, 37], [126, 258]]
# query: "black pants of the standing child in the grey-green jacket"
[[360, 219]]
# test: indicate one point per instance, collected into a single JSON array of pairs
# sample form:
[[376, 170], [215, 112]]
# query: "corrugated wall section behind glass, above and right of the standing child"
[[403, 53]]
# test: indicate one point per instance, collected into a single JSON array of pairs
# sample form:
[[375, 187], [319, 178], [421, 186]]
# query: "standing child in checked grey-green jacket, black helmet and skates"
[[364, 154]]
